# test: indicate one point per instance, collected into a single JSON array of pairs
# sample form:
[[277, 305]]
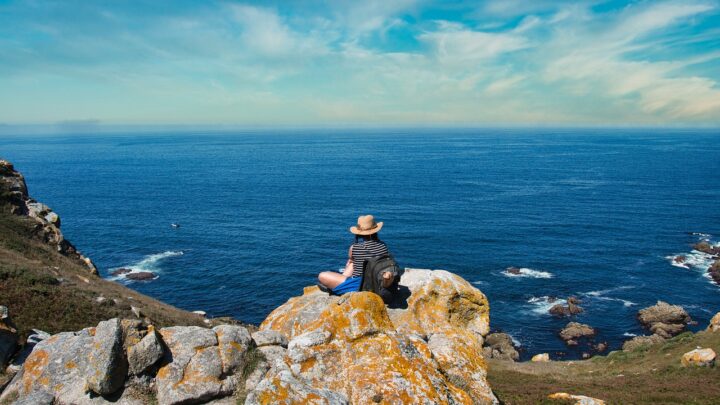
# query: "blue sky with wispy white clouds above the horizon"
[[371, 62]]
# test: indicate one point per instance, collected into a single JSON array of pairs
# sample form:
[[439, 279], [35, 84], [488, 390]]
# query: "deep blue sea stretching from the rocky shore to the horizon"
[[595, 213]]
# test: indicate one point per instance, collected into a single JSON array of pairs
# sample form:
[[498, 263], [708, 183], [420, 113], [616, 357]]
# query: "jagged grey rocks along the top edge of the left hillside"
[[14, 196]]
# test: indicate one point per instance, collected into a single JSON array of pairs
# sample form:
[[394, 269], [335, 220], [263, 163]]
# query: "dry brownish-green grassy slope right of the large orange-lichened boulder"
[[650, 375]]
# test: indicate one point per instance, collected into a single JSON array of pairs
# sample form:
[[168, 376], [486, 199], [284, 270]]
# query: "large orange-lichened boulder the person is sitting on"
[[428, 352]]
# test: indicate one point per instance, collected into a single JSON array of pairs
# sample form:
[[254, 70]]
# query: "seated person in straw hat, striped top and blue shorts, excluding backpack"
[[367, 245]]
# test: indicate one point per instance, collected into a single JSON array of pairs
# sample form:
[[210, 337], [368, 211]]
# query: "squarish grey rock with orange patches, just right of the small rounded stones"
[[192, 371]]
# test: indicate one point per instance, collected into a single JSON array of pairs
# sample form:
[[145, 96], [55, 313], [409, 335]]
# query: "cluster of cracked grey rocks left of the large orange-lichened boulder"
[[125, 362]]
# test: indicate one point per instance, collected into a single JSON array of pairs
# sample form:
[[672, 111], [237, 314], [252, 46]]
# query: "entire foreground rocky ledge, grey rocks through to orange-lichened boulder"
[[315, 348]]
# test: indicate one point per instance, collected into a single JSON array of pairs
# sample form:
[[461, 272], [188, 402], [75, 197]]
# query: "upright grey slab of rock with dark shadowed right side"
[[107, 365]]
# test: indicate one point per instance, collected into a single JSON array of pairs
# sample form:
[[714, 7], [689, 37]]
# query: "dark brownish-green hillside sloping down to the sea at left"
[[48, 291]]
